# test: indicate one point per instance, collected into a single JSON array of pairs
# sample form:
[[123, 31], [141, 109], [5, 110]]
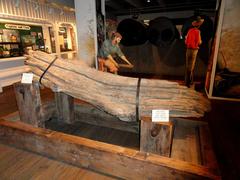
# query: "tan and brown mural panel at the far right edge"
[[227, 77]]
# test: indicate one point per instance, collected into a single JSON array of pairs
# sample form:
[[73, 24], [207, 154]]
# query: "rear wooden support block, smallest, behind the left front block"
[[65, 107]]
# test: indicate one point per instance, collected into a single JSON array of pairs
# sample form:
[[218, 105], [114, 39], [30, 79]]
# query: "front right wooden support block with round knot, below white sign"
[[156, 137]]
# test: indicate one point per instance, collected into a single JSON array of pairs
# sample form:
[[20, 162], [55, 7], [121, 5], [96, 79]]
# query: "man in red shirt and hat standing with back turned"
[[192, 41]]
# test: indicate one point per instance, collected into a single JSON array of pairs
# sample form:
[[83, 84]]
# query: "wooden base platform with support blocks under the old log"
[[179, 149]]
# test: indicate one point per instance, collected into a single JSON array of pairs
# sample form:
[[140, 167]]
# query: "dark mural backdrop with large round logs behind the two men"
[[165, 57]]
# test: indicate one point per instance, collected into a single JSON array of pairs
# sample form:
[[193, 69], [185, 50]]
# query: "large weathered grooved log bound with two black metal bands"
[[114, 94]]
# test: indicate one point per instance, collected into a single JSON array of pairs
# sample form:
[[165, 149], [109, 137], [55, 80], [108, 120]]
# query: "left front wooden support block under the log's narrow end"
[[29, 103]]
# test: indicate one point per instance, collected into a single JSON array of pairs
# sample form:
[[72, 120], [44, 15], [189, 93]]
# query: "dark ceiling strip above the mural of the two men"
[[128, 7]]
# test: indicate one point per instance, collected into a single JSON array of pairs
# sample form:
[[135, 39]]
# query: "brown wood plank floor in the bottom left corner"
[[18, 164]]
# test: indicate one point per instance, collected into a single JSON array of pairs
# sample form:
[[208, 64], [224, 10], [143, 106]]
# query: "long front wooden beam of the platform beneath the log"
[[102, 157]]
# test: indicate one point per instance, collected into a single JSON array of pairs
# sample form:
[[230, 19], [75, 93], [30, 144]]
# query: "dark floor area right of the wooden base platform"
[[224, 121]]
